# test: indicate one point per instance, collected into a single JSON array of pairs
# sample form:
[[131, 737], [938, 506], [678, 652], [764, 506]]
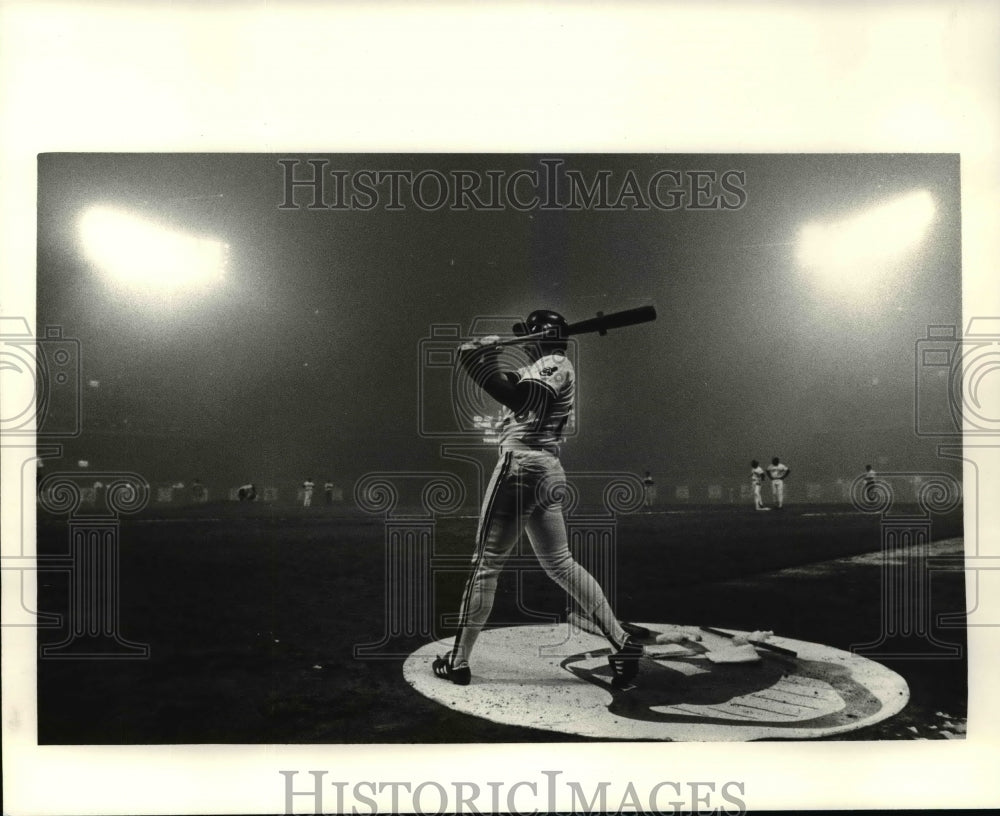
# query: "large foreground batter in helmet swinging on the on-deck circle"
[[524, 493]]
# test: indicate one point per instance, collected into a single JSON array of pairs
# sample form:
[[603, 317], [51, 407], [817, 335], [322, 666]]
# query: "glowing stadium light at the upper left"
[[142, 254]]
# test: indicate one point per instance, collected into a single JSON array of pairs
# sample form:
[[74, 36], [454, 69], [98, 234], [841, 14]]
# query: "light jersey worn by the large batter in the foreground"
[[532, 426]]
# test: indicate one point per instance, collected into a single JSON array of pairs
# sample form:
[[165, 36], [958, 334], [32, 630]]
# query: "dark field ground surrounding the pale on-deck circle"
[[252, 613]]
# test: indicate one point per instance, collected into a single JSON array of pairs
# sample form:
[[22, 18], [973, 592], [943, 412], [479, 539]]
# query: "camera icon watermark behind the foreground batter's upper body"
[[451, 404]]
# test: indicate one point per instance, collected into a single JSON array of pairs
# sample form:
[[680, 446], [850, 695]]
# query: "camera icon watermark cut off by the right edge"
[[957, 380]]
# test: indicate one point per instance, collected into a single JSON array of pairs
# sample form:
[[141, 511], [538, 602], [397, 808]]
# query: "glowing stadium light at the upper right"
[[854, 252]]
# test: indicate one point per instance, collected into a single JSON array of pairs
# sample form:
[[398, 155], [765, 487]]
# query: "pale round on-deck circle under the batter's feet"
[[557, 678]]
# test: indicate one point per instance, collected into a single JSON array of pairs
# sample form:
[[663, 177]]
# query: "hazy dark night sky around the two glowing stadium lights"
[[307, 359]]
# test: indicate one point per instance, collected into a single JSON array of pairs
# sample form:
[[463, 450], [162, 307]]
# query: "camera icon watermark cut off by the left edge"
[[40, 381]]
